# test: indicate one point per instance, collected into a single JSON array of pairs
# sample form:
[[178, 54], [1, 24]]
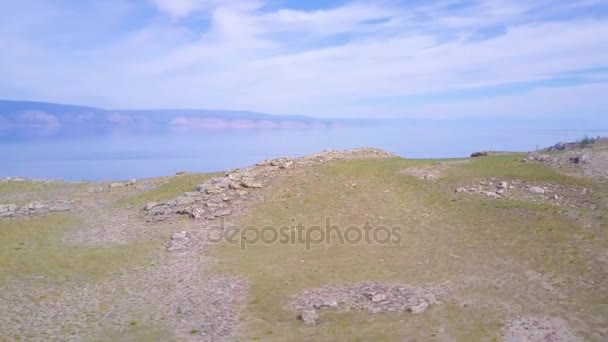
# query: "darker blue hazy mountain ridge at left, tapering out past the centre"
[[52, 117]]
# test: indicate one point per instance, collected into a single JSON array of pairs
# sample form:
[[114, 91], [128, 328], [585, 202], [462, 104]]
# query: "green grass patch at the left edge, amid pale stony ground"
[[32, 248]]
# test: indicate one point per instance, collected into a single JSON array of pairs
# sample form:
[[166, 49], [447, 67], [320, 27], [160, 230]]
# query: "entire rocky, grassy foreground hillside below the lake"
[[499, 247]]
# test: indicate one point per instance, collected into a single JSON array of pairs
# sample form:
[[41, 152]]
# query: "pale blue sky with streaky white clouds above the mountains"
[[542, 59]]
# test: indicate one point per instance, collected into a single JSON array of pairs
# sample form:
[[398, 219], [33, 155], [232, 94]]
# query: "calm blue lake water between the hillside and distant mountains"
[[127, 155]]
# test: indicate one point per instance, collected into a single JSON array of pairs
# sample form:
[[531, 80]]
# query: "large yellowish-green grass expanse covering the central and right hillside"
[[495, 258]]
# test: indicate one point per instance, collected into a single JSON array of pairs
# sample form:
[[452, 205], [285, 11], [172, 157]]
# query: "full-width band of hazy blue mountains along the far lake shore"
[[28, 119]]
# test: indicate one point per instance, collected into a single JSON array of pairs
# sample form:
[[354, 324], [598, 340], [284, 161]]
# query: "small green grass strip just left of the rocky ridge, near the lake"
[[171, 188]]
